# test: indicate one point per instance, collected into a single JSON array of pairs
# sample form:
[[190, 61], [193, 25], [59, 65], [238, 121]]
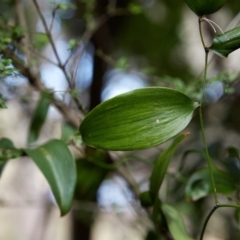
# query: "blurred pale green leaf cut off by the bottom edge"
[[175, 223]]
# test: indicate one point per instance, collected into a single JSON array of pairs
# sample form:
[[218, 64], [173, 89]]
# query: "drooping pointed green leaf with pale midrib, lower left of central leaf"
[[58, 166]]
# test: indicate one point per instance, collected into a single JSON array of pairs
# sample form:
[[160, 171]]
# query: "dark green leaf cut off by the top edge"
[[205, 7]]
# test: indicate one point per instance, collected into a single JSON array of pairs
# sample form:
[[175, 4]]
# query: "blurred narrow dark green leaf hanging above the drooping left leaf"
[[39, 117]]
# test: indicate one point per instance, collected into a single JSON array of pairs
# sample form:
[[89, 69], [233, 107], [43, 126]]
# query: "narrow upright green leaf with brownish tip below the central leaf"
[[160, 168]]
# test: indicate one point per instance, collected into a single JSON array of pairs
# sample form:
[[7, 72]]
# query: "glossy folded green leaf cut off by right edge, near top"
[[226, 43]]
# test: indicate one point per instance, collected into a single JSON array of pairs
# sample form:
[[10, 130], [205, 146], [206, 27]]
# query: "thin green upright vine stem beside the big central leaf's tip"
[[201, 115]]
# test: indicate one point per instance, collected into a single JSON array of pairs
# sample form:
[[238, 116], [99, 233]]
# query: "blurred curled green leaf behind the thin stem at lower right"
[[200, 184]]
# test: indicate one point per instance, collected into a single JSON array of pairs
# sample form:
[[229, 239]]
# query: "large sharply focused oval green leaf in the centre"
[[138, 119]]
